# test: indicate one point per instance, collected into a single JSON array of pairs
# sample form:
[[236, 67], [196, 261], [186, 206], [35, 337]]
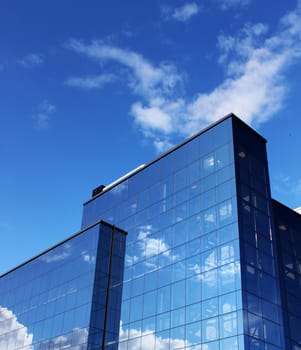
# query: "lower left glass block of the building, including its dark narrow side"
[[59, 300]]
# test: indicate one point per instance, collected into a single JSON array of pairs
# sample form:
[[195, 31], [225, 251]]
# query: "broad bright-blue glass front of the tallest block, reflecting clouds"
[[181, 284]]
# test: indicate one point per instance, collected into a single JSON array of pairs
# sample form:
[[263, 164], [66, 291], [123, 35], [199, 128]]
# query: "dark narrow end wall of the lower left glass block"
[[107, 292]]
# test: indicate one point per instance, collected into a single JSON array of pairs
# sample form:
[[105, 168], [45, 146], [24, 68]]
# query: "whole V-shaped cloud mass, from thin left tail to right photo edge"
[[254, 87]]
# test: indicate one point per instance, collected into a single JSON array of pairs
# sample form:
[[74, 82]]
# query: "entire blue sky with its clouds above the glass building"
[[90, 90]]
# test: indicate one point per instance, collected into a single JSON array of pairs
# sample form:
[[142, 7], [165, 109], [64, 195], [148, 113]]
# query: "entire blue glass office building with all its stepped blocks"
[[191, 253]]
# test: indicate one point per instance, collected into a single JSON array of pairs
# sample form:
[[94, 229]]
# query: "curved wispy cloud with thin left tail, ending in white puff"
[[152, 83]]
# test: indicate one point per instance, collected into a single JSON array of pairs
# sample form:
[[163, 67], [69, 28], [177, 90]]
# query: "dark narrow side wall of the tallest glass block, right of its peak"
[[263, 325]]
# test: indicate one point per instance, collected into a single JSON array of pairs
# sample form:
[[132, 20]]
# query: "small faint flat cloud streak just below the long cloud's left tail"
[[91, 82]]
